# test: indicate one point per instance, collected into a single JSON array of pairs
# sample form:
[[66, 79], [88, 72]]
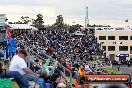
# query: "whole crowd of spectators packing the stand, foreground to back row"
[[71, 50]]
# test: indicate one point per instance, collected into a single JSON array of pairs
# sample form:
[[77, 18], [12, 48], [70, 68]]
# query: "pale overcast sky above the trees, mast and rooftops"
[[111, 12]]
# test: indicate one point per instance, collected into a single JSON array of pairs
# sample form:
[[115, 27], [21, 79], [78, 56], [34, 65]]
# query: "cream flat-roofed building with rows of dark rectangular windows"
[[116, 42]]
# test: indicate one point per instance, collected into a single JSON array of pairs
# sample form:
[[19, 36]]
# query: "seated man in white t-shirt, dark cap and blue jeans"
[[18, 63]]
